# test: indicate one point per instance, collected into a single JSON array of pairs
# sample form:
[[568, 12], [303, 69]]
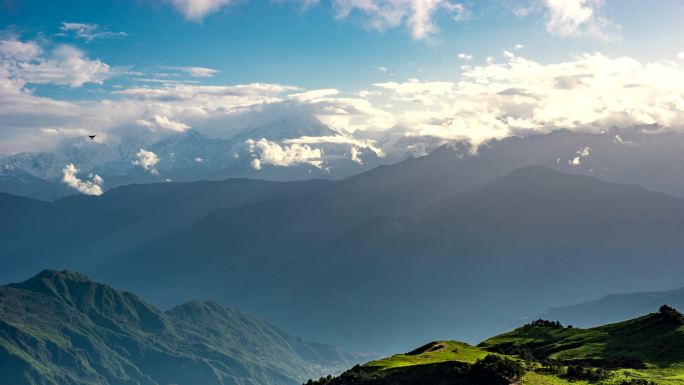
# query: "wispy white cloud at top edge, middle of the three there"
[[417, 15]]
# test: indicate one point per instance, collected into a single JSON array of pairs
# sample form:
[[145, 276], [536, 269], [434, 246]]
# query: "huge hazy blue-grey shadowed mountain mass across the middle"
[[413, 243]]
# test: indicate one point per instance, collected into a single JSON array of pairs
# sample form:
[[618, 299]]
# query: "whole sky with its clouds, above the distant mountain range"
[[447, 69]]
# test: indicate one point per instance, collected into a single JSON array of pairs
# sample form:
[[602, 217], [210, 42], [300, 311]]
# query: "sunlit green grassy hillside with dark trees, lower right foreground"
[[643, 351]]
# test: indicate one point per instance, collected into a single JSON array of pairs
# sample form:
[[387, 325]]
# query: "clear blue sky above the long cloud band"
[[262, 41]]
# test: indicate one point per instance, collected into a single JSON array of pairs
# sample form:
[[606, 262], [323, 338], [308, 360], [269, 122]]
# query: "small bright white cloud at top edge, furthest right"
[[578, 17]]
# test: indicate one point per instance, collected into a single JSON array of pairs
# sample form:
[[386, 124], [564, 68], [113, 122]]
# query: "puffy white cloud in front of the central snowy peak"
[[265, 152]]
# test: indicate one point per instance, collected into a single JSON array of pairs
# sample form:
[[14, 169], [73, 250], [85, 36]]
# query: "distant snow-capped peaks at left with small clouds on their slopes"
[[287, 149]]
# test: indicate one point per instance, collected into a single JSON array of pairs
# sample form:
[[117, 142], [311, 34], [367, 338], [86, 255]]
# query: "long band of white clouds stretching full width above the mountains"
[[506, 95]]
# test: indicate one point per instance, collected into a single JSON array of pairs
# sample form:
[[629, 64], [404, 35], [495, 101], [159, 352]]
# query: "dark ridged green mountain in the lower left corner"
[[61, 328]]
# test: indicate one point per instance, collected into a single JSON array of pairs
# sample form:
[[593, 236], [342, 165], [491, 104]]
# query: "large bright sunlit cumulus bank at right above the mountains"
[[521, 96]]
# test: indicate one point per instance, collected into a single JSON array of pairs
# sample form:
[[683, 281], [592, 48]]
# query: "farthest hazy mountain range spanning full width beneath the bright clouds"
[[299, 148]]
